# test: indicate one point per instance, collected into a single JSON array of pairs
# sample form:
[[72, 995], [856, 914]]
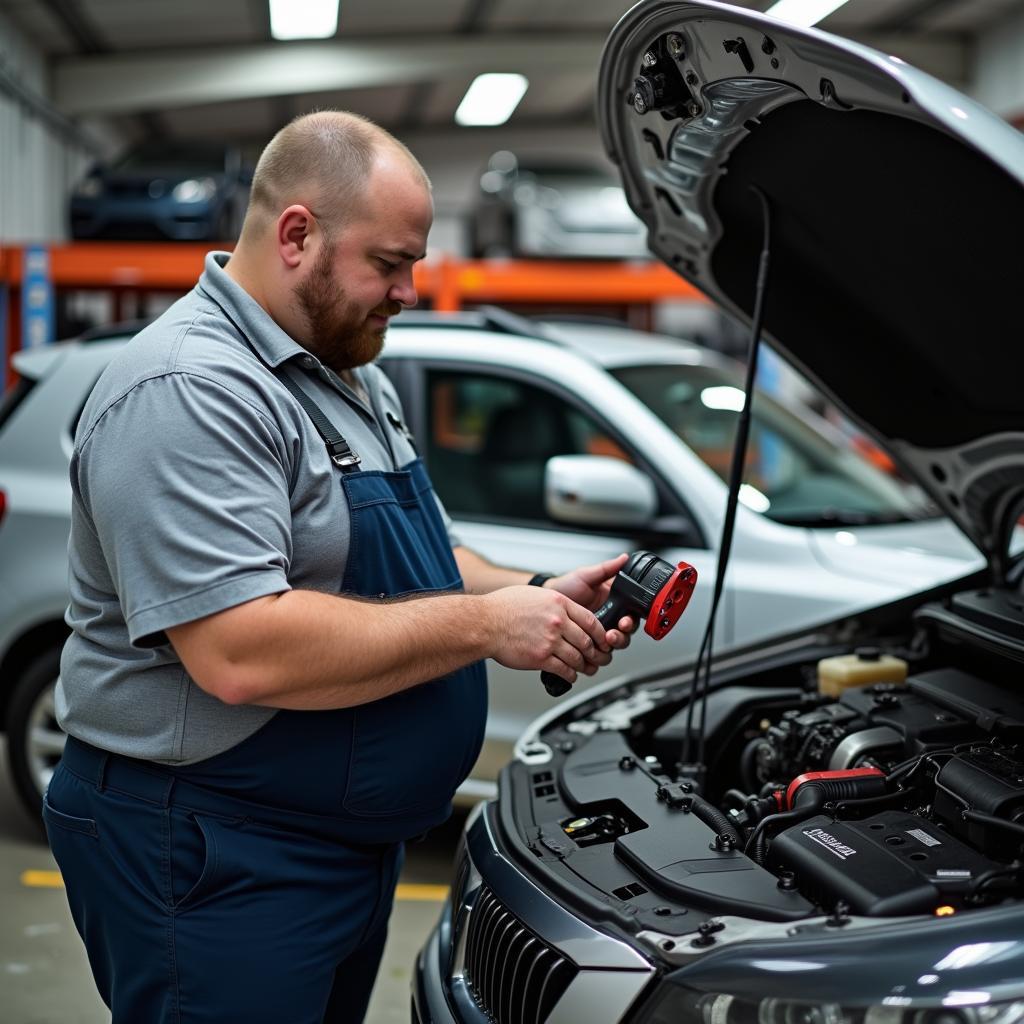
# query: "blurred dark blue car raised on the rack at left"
[[161, 190]]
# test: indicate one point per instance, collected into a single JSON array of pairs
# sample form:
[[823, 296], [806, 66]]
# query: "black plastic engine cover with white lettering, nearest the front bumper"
[[888, 865]]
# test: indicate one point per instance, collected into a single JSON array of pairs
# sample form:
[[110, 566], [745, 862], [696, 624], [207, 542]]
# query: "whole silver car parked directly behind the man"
[[552, 447]]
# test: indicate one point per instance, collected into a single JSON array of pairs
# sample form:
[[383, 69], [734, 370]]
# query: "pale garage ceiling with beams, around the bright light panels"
[[195, 68]]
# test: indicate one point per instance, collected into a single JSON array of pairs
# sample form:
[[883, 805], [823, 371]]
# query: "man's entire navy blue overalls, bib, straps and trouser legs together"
[[257, 885]]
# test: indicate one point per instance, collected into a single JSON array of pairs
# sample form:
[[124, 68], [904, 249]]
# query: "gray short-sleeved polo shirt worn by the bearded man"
[[200, 484]]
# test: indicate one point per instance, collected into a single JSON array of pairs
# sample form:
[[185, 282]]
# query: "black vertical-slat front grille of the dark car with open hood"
[[516, 977]]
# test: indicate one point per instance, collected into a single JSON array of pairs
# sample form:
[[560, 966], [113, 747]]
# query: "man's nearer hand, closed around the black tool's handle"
[[544, 630]]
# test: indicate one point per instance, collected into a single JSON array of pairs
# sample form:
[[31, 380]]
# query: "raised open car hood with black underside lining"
[[898, 227]]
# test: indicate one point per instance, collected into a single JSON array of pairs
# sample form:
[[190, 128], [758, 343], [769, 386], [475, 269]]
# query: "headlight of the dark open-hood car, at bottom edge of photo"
[[675, 1005]]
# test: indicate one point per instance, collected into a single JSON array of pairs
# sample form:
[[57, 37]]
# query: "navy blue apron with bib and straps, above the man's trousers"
[[383, 772]]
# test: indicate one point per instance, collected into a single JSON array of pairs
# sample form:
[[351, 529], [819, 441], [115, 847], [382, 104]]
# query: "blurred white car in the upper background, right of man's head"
[[554, 208]]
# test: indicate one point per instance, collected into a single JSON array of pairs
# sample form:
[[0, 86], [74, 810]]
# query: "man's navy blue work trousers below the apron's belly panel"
[[190, 916]]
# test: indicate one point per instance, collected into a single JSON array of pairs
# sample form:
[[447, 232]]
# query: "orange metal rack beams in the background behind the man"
[[448, 284]]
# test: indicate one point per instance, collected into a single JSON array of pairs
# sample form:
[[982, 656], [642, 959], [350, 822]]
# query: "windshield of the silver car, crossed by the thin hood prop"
[[800, 471]]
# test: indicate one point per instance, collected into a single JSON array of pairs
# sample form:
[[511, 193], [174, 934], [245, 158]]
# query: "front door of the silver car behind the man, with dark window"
[[487, 435]]
